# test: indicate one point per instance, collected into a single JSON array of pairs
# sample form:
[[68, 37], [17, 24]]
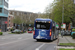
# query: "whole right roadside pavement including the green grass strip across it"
[[66, 42]]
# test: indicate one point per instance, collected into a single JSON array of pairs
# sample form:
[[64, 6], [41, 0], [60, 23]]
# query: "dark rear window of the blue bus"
[[43, 25]]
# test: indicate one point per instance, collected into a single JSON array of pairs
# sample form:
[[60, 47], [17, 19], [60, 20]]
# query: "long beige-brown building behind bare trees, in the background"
[[27, 17]]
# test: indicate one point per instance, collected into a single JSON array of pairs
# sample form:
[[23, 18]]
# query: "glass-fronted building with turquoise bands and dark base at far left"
[[3, 15]]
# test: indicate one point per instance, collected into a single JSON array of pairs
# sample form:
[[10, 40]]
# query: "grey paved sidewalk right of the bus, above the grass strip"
[[66, 39]]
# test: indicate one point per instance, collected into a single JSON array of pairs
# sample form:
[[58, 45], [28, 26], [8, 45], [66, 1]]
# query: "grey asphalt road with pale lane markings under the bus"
[[24, 42]]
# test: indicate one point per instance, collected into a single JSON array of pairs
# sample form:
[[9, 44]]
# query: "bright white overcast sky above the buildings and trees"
[[34, 6]]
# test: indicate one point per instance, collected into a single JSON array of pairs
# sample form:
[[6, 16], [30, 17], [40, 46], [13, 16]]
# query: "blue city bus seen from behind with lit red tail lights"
[[45, 29]]
